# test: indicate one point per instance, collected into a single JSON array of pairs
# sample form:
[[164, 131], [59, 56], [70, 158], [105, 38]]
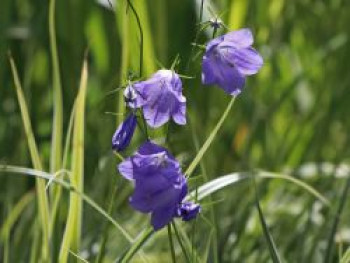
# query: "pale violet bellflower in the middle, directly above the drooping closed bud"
[[161, 98]]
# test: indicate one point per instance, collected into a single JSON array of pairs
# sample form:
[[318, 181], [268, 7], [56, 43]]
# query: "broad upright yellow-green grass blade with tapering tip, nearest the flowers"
[[71, 238]]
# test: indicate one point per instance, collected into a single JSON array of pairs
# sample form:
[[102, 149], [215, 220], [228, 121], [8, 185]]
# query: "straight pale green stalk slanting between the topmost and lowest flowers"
[[209, 140]]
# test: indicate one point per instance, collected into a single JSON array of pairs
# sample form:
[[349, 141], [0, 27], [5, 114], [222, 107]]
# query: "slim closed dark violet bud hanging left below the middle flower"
[[122, 136]]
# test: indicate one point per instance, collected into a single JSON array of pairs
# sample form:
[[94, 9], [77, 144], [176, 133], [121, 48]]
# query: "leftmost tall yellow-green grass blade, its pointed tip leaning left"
[[43, 202]]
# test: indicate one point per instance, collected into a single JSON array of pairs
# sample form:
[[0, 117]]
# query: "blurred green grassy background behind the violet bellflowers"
[[293, 116]]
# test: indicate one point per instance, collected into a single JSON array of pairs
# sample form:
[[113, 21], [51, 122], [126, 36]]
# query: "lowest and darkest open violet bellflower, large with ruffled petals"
[[159, 184]]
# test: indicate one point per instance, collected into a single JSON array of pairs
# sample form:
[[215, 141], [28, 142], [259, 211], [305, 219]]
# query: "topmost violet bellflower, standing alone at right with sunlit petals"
[[229, 59]]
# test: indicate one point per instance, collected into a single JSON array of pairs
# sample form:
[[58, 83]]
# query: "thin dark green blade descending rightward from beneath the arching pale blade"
[[272, 247]]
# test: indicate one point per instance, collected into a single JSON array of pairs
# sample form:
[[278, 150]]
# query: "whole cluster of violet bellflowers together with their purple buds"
[[159, 185]]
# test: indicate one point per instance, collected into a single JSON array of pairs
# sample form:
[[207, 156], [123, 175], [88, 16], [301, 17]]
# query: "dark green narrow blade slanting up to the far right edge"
[[335, 224]]
